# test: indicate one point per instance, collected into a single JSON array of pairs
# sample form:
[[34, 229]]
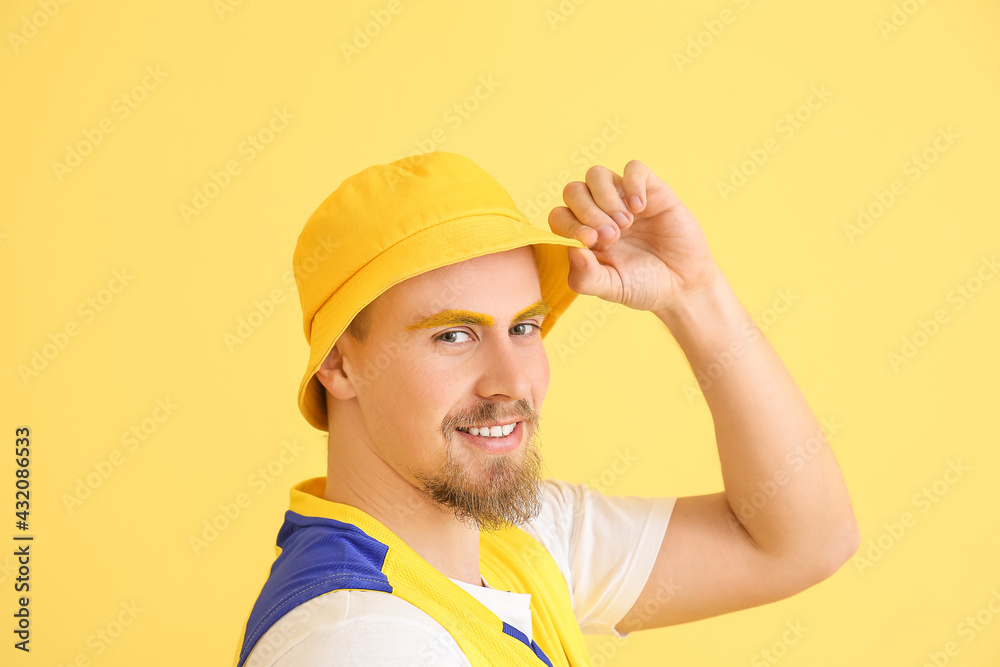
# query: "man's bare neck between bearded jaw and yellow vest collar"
[[356, 476]]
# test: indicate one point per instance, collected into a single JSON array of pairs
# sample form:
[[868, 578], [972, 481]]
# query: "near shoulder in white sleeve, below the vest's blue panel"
[[352, 627]]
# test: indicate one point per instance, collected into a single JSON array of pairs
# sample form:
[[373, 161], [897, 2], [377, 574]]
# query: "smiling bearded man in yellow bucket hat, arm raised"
[[432, 539]]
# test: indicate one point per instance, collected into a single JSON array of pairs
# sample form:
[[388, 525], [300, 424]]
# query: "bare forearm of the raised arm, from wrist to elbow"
[[770, 443]]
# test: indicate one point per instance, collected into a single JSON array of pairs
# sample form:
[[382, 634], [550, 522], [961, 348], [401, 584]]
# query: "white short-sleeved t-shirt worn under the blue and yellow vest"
[[605, 547]]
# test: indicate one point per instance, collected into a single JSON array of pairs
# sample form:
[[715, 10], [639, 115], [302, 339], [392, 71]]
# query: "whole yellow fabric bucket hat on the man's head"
[[394, 221]]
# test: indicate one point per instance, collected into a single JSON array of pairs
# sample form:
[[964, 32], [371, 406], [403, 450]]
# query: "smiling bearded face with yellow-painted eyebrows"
[[450, 349]]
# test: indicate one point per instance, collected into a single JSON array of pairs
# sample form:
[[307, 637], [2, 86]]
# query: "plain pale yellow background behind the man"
[[560, 74]]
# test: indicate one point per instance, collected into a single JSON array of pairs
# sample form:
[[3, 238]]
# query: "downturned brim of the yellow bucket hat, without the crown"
[[448, 242]]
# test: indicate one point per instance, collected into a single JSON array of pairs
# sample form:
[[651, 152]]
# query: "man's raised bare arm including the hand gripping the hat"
[[784, 521]]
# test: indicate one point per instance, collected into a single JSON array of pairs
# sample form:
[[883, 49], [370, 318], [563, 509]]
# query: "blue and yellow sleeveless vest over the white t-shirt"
[[324, 546]]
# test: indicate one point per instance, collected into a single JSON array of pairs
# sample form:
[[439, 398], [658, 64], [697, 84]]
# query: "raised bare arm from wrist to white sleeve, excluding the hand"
[[784, 521]]
